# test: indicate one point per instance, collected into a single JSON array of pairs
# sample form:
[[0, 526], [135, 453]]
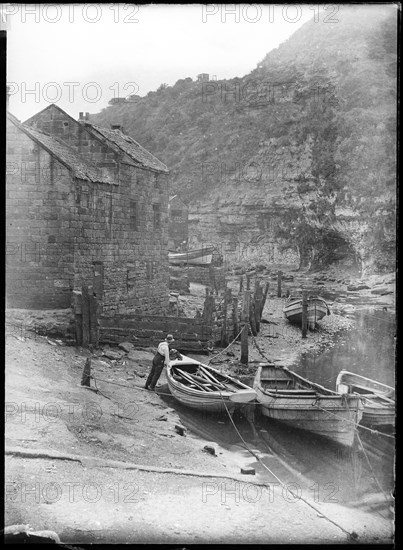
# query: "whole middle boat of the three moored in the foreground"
[[290, 398]]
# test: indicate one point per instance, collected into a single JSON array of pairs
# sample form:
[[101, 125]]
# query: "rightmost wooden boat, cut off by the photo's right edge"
[[378, 399]]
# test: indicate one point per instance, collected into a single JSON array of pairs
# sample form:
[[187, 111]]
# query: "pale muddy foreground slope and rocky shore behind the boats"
[[115, 464]]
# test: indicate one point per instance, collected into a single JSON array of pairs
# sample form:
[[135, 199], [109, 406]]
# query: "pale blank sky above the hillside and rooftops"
[[82, 55]]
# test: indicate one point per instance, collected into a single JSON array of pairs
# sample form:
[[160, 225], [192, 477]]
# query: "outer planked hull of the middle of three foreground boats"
[[332, 416]]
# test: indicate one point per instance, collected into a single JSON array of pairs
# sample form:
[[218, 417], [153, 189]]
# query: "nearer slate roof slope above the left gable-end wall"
[[64, 153]]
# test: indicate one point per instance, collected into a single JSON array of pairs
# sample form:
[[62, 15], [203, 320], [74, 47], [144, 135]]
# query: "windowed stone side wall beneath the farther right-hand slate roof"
[[130, 257]]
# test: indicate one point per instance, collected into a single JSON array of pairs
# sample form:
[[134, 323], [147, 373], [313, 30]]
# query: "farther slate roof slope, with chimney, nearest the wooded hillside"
[[127, 145]]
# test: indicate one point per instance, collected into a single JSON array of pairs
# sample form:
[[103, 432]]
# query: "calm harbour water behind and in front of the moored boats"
[[325, 471]]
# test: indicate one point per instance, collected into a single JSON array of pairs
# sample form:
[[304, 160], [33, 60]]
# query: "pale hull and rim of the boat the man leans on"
[[215, 401]]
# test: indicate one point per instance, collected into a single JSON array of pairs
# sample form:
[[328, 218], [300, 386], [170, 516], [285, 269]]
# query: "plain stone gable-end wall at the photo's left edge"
[[39, 198]]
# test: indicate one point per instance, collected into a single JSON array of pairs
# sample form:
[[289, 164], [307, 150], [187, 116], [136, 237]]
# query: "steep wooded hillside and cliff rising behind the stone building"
[[295, 162]]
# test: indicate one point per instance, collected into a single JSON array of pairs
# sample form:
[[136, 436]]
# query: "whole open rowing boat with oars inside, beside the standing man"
[[202, 387]]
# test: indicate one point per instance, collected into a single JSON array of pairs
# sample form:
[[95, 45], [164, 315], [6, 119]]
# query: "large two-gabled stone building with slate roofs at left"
[[85, 205]]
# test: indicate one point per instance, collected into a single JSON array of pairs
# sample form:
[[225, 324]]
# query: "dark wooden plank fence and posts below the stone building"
[[219, 323]]
